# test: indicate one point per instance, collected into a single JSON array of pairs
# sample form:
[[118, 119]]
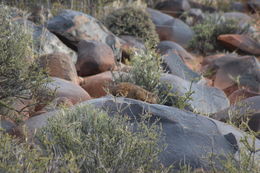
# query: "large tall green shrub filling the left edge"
[[20, 77]]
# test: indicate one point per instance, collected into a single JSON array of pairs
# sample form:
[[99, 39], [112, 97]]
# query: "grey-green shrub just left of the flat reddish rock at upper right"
[[206, 33]]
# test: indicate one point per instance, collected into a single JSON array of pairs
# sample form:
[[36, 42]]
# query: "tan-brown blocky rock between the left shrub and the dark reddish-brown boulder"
[[59, 65]]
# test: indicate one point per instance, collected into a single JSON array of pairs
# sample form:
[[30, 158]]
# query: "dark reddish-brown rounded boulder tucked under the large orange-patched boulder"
[[94, 57]]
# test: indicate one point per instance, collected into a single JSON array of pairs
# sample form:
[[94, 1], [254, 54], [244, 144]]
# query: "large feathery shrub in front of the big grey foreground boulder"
[[102, 143]]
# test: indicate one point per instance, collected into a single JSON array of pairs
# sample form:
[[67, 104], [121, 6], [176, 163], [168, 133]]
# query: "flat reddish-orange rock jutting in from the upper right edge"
[[241, 43]]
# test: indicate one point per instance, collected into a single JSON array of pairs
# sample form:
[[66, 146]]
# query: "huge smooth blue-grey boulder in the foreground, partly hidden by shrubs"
[[188, 136]]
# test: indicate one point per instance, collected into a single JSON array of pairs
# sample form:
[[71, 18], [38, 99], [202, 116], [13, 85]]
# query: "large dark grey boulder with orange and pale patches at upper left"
[[73, 26]]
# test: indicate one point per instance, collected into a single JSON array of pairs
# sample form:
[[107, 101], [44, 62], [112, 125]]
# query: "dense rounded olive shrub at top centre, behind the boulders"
[[132, 21]]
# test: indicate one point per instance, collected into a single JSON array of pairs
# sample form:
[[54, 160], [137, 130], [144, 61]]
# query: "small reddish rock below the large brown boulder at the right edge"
[[241, 94]]
